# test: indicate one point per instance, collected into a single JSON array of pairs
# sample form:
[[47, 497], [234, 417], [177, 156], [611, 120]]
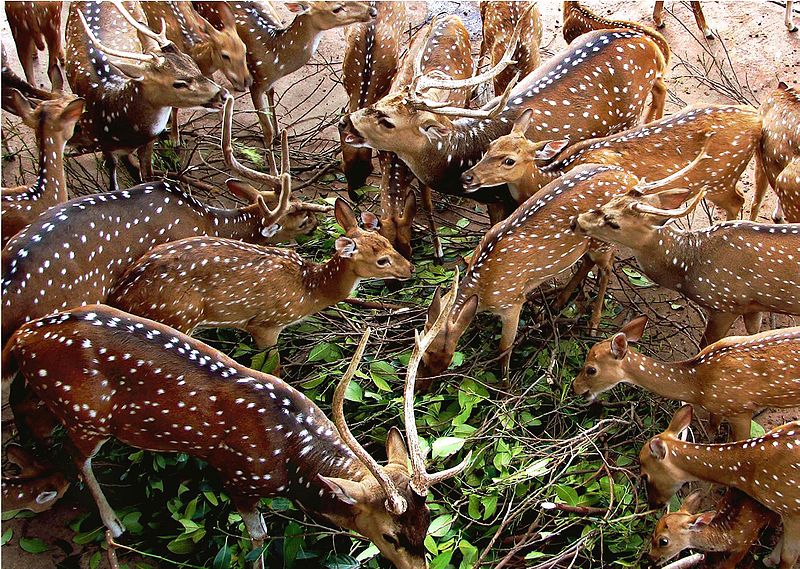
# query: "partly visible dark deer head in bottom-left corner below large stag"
[[36, 487]]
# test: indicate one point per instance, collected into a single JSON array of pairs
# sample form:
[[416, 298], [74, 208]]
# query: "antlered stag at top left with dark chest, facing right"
[[129, 81]]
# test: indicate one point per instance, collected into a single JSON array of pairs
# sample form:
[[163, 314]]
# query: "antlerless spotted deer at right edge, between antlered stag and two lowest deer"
[[731, 379]]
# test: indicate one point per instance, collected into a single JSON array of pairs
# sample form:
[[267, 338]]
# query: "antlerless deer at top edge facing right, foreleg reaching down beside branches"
[[275, 51]]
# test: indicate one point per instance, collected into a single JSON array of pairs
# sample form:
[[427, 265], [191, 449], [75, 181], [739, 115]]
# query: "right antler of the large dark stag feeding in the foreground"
[[421, 480]]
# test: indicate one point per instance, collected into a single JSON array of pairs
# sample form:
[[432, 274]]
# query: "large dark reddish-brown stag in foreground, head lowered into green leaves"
[[164, 391]]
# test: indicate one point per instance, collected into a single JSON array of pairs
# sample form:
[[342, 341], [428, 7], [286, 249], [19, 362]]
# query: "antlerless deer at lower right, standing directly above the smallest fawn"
[[765, 468]]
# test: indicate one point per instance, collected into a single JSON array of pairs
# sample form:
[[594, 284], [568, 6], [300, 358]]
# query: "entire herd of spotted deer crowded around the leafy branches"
[[573, 158]]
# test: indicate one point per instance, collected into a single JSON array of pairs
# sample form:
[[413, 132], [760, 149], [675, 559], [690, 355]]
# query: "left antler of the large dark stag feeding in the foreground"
[[395, 503]]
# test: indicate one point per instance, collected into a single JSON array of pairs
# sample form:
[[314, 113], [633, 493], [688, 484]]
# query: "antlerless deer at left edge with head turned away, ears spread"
[[53, 122]]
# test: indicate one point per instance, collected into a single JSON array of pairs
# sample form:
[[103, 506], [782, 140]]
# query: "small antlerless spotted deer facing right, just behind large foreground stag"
[[210, 281]]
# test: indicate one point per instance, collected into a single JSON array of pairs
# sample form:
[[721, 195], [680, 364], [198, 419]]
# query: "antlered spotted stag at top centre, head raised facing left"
[[566, 96]]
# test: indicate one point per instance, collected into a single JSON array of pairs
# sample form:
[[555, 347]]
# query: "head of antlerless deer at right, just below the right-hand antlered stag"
[[603, 367]]
